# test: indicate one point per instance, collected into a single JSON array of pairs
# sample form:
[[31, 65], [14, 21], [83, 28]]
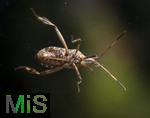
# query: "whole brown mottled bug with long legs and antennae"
[[58, 58]]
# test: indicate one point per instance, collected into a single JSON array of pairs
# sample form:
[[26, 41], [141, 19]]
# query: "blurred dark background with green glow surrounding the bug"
[[97, 22]]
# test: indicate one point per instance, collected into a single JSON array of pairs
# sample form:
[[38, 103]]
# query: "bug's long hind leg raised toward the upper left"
[[47, 22]]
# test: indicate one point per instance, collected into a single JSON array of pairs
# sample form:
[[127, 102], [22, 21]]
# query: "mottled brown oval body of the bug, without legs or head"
[[56, 56]]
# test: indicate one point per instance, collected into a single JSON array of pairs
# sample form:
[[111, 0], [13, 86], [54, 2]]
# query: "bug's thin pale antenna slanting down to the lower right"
[[109, 73]]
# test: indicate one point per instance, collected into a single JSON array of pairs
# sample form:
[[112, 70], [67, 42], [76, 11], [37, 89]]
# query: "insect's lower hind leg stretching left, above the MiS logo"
[[35, 72]]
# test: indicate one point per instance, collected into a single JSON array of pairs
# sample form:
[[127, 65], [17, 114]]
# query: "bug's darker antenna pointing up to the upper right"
[[112, 44]]
